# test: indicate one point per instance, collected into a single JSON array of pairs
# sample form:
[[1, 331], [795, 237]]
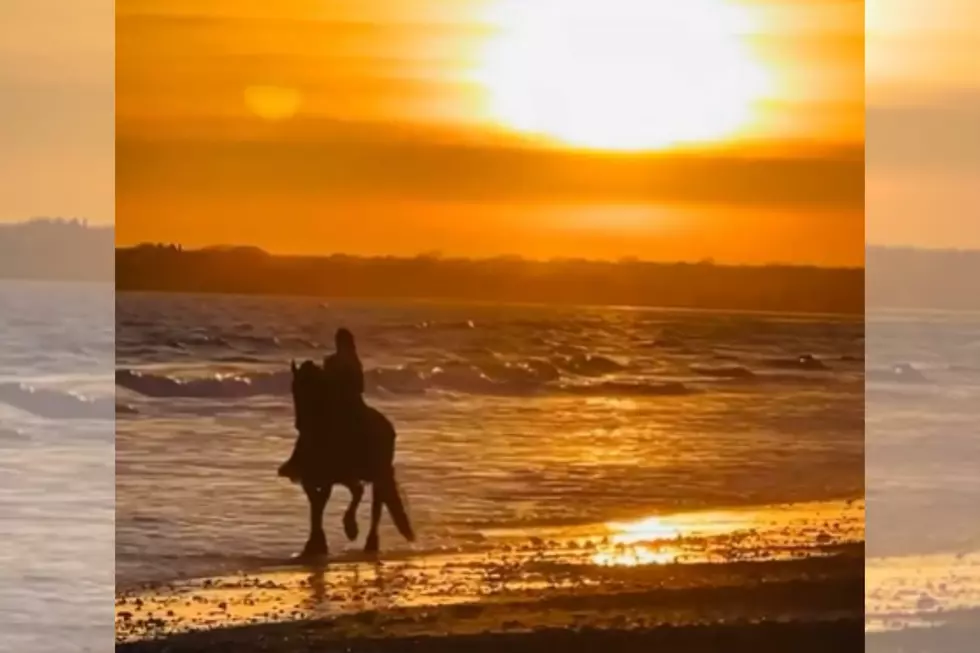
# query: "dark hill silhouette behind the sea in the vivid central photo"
[[248, 270]]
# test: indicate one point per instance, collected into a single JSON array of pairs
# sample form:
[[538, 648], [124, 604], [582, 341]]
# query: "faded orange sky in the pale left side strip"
[[56, 109]]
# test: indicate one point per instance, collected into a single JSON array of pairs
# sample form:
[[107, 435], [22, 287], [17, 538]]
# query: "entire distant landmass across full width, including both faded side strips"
[[898, 278]]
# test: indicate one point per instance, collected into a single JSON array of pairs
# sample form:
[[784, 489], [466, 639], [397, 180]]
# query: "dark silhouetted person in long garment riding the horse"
[[345, 383]]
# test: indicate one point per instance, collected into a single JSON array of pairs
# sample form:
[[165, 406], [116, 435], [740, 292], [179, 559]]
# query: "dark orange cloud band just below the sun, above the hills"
[[397, 162]]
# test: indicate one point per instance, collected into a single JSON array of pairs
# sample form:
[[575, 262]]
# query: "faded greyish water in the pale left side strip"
[[56, 466]]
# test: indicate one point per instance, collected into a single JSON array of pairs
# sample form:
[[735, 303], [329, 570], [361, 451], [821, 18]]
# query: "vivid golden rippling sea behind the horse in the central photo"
[[508, 417]]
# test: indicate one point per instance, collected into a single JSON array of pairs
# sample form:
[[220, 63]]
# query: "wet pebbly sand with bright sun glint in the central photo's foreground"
[[784, 578]]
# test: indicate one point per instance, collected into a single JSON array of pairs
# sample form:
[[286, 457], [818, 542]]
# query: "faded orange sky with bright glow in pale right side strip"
[[923, 142]]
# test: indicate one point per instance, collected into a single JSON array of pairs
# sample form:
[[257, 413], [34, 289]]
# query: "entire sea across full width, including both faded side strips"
[[509, 417]]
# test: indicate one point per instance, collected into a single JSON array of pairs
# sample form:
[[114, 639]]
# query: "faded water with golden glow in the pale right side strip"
[[922, 414]]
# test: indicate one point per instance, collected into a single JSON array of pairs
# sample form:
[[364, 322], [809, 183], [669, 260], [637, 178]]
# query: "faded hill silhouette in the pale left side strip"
[[57, 250]]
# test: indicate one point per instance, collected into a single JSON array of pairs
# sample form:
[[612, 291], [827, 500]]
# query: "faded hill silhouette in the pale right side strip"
[[909, 278]]
